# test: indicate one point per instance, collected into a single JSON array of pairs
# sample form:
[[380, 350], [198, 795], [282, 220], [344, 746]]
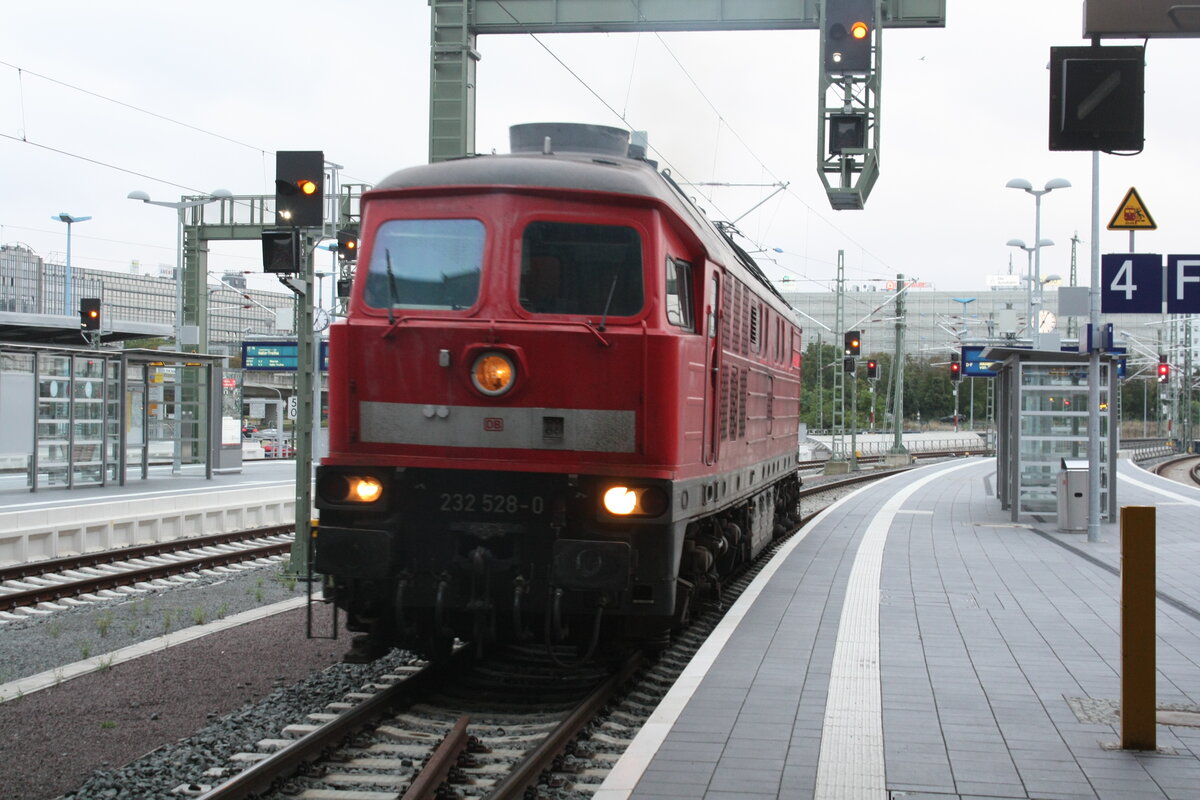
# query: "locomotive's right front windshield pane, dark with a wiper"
[[581, 269]]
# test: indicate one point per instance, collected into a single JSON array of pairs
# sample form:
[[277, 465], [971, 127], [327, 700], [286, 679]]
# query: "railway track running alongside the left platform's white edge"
[[52, 581]]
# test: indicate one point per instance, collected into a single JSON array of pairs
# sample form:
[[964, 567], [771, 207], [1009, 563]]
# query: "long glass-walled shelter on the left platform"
[[80, 418]]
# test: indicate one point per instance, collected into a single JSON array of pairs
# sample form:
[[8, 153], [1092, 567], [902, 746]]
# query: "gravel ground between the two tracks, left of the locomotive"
[[157, 723]]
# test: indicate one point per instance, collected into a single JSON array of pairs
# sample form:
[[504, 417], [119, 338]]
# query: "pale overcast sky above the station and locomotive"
[[100, 99]]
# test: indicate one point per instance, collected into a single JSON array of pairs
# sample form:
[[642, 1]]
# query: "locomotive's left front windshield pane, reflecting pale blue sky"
[[427, 264]]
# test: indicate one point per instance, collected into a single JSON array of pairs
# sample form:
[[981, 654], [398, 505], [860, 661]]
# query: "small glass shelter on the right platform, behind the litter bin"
[[1043, 417]]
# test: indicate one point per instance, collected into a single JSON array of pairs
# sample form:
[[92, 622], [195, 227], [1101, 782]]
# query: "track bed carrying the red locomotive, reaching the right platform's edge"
[[494, 730]]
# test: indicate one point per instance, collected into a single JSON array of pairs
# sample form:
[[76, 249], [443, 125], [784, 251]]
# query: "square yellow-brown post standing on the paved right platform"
[[1138, 628]]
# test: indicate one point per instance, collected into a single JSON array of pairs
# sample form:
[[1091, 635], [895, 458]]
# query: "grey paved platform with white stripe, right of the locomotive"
[[914, 643]]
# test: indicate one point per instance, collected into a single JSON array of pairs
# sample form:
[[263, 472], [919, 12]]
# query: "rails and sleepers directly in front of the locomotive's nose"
[[415, 732]]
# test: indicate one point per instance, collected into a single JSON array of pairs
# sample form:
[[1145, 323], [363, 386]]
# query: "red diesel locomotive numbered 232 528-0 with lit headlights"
[[562, 406]]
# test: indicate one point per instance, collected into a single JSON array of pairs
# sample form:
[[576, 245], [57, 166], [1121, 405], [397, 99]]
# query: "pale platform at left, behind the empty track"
[[56, 522]]
